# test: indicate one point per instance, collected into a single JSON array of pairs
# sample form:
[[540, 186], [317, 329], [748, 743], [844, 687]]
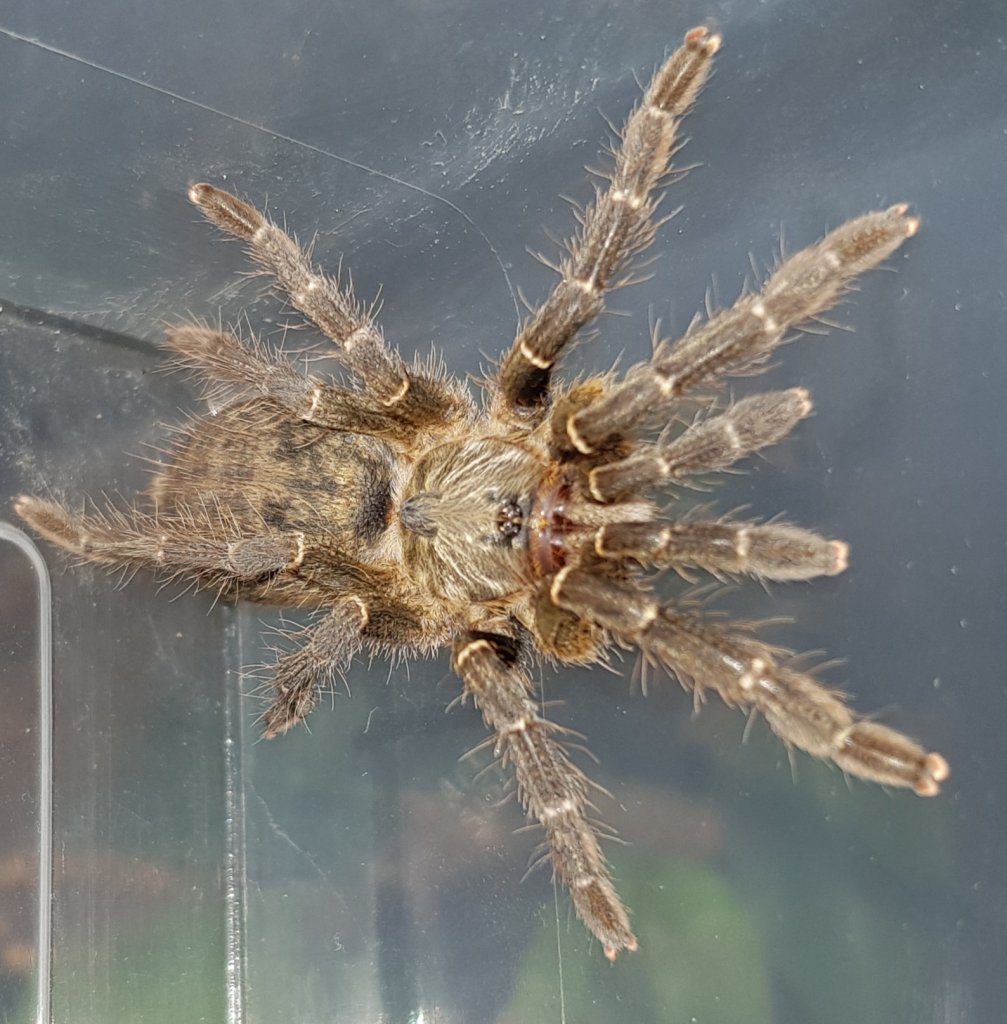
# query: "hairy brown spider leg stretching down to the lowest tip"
[[552, 788]]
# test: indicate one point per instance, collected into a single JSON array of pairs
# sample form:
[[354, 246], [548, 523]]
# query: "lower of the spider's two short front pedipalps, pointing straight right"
[[769, 551]]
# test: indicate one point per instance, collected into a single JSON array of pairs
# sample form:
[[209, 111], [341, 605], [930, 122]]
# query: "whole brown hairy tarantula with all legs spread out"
[[413, 520]]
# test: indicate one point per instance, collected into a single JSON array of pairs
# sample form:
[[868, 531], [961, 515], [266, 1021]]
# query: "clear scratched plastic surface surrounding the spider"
[[360, 873]]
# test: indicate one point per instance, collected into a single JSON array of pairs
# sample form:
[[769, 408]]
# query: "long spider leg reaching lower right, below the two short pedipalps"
[[747, 673]]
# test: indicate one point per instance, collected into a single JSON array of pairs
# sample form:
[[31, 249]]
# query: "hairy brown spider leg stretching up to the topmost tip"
[[619, 224]]
